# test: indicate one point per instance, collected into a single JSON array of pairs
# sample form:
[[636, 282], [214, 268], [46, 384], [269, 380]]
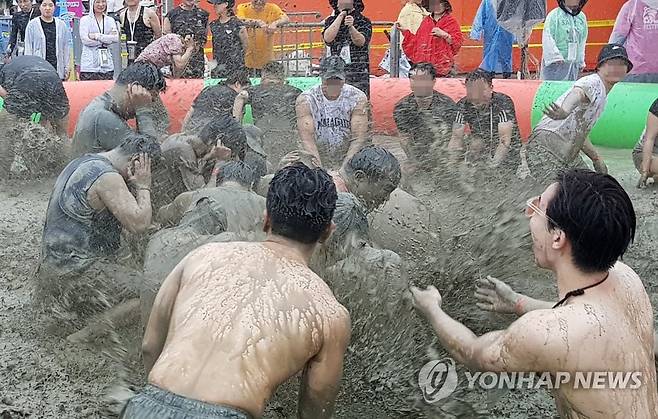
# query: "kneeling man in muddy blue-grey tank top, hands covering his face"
[[90, 204]]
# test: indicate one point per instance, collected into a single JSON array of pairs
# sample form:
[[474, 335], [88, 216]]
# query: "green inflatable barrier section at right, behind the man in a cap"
[[627, 102]]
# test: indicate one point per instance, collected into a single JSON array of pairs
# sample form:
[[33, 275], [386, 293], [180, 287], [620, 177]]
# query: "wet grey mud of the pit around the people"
[[46, 377]]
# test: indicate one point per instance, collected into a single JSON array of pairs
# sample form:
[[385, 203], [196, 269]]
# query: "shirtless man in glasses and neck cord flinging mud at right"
[[580, 226]]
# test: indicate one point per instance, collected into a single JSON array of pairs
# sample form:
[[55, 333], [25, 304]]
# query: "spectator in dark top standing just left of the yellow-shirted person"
[[229, 40]]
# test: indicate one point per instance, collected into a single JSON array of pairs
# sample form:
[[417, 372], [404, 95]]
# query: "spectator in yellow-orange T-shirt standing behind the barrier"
[[264, 19]]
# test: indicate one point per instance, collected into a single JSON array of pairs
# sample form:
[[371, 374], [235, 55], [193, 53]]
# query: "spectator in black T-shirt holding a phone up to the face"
[[347, 33]]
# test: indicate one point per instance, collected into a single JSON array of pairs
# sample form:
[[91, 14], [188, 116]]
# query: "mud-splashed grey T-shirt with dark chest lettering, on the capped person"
[[333, 122]]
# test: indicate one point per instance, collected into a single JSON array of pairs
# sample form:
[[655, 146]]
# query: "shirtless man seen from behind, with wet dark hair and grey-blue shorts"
[[235, 320]]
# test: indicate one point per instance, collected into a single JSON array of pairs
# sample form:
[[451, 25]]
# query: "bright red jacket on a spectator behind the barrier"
[[425, 47]]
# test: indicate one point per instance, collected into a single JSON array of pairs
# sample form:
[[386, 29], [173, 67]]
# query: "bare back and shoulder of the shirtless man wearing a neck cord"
[[609, 329]]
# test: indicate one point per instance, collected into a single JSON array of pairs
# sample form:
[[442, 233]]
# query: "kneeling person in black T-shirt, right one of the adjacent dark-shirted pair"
[[491, 117]]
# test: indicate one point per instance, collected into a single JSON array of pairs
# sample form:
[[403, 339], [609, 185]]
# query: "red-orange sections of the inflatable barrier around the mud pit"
[[385, 93]]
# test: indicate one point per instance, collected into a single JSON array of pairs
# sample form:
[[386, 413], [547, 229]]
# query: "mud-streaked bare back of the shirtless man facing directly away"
[[237, 331]]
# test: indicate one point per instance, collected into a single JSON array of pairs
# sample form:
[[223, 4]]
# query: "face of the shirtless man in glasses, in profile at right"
[[543, 238]]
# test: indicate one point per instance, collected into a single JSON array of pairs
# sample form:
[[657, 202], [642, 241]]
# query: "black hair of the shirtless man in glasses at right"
[[596, 215]]
